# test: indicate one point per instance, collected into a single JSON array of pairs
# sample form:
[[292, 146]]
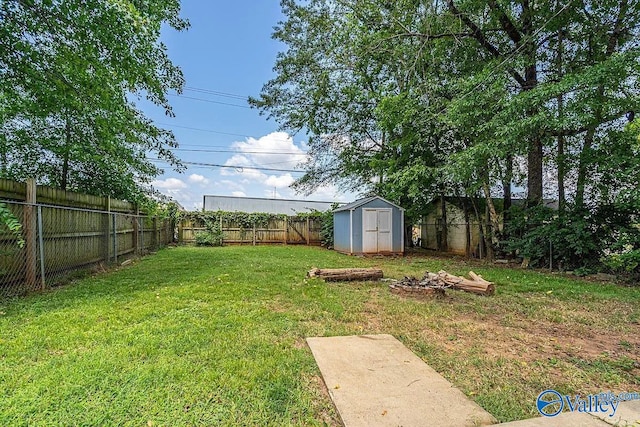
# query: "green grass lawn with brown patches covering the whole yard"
[[215, 336]]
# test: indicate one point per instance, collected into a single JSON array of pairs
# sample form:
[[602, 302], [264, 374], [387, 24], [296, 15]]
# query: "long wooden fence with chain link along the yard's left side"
[[59, 242]]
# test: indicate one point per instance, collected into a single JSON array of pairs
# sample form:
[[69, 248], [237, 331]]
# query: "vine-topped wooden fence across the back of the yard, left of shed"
[[289, 230]]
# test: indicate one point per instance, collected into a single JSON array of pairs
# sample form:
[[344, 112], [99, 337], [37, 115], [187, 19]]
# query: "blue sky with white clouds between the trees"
[[227, 55]]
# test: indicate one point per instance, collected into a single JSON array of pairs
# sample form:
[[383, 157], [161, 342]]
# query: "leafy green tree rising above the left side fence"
[[70, 71]]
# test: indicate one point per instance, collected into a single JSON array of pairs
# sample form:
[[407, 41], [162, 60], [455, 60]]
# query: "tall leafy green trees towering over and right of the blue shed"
[[417, 99]]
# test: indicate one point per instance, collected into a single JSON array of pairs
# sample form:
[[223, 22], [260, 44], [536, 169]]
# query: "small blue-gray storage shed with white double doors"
[[369, 226]]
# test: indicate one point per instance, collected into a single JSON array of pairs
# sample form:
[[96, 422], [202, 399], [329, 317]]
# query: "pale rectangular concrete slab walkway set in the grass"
[[374, 380]]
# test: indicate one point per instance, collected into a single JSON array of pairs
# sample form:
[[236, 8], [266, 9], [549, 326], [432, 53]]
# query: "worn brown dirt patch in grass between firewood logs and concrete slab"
[[474, 344]]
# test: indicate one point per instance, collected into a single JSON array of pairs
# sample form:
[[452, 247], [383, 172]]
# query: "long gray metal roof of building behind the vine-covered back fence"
[[255, 204]]
